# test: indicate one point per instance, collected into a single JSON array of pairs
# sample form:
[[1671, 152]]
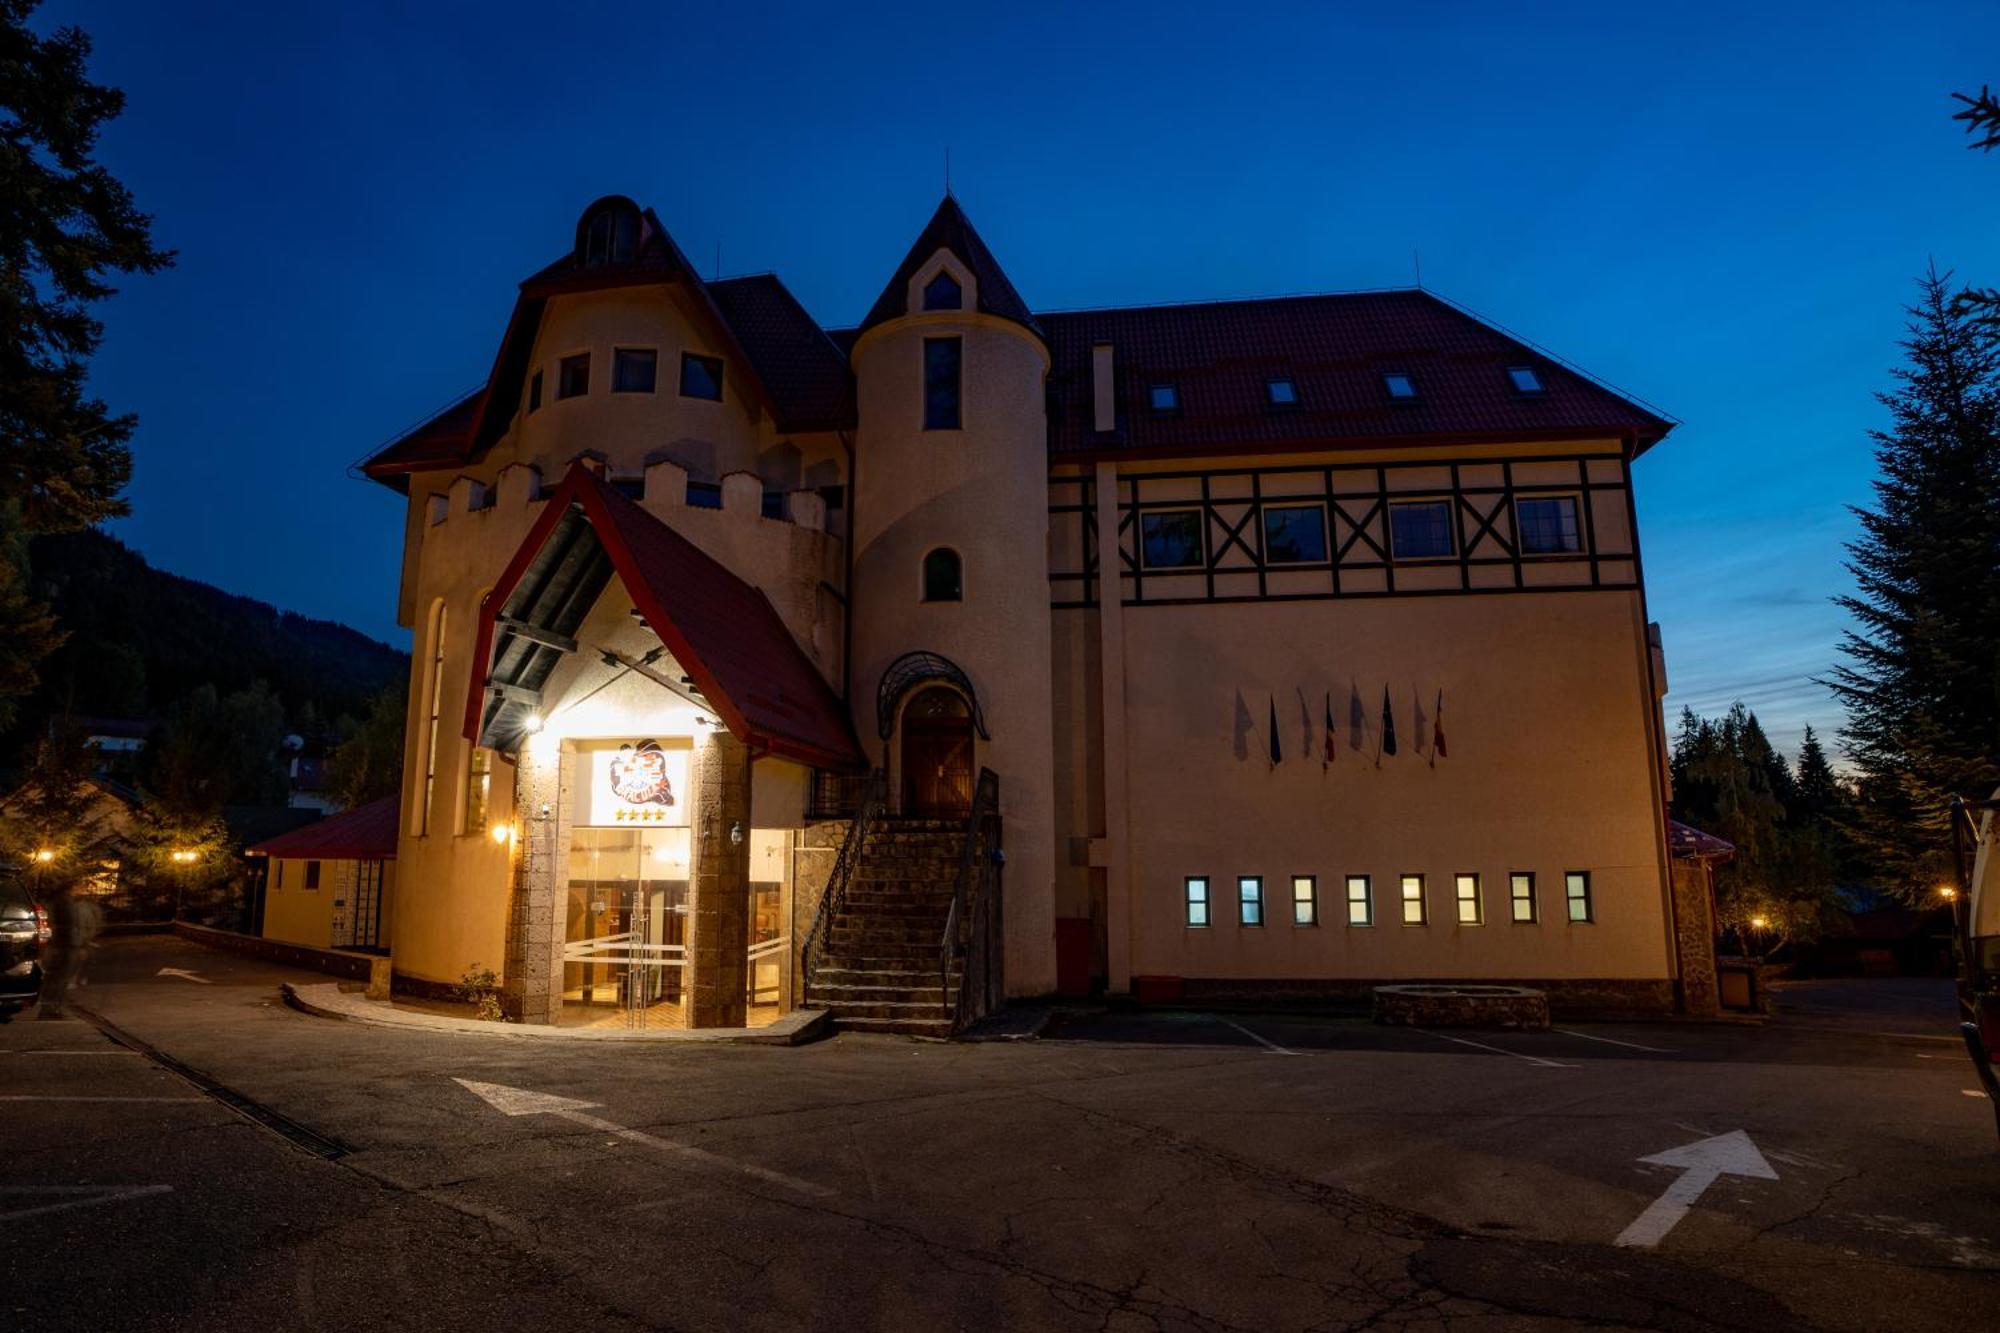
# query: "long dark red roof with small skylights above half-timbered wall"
[[1335, 349]]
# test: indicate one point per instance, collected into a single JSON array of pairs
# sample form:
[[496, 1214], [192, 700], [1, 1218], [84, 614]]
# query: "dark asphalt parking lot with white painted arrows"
[[1125, 1172]]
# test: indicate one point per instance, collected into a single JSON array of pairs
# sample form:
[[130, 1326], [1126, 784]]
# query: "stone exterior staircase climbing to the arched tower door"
[[879, 968]]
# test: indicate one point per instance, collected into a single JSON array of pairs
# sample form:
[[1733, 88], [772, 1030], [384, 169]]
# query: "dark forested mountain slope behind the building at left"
[[141, 641]]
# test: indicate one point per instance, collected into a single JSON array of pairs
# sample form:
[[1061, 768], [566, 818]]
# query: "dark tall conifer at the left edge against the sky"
[[65, 229]]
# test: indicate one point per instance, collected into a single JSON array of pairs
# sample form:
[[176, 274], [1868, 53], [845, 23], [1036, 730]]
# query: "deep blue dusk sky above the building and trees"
[[1721, 211]]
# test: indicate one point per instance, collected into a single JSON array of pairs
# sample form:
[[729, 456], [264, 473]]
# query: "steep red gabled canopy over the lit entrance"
[[725, 633]]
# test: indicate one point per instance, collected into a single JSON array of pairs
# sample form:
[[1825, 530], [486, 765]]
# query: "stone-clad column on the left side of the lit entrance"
[[535, 920]]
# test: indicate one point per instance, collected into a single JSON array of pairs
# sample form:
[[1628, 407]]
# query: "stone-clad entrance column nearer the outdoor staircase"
[[719, 902]]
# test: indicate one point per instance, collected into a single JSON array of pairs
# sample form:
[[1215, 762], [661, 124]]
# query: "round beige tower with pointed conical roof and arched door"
[[951, 657]]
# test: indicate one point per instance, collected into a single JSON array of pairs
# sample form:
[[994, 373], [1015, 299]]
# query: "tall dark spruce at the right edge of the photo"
[[1923, 676]]
